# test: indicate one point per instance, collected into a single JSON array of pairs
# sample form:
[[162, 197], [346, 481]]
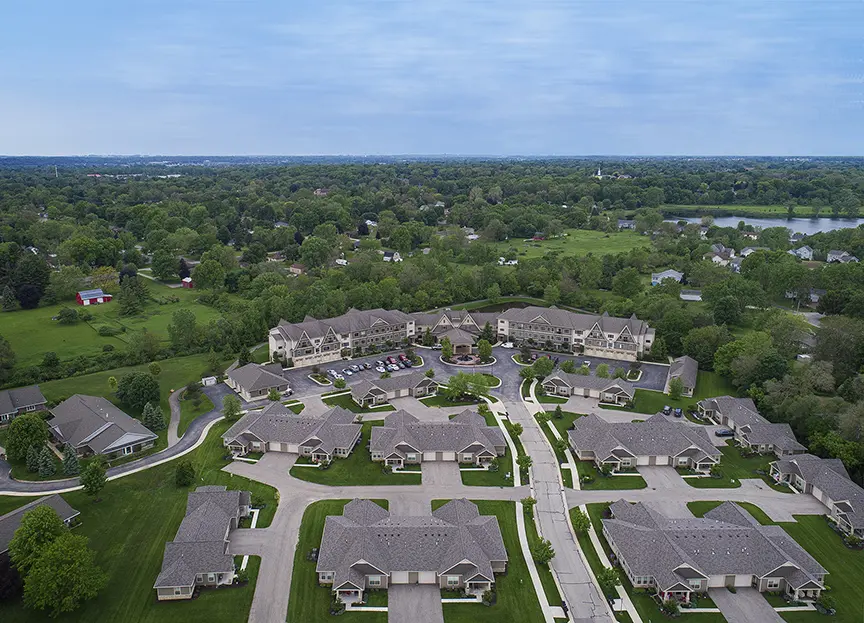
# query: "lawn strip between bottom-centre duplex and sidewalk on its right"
[[517, 601]]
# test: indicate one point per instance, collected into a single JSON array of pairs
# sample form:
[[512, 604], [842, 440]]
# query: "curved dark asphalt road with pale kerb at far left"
[[10, 486]]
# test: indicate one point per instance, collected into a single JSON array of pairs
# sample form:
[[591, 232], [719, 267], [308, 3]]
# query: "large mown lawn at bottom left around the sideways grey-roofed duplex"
[[129, 531]]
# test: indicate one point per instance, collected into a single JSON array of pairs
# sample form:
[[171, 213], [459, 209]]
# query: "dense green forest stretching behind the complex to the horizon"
[[235, 230]]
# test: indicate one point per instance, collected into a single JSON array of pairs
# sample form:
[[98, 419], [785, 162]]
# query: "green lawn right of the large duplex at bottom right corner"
[[845, 566]]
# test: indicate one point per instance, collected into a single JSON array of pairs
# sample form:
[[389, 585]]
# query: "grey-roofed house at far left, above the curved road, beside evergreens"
[[92, 425]]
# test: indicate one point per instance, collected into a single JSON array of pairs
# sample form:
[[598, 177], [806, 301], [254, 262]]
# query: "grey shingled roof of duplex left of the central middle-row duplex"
[[274, 423]]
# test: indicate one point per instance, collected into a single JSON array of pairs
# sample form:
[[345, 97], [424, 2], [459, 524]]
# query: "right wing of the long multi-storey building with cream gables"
[[600, 336]]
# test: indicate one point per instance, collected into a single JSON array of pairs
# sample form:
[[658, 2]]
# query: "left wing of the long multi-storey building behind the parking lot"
[[318, 341]]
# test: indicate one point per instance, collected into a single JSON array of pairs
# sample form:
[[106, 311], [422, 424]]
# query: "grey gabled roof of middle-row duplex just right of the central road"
[[656, 436]]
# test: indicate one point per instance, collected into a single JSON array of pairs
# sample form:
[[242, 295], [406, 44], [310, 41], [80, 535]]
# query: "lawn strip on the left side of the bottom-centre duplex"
[[310, 602]]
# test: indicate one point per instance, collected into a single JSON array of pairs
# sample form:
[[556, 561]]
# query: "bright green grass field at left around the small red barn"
[[32, 333]]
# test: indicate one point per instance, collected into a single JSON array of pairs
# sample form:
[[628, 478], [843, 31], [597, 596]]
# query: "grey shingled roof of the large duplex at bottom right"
[[726, 541]]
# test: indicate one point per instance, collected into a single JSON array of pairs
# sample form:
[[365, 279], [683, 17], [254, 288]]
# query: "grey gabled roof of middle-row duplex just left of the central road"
[[463, 431]]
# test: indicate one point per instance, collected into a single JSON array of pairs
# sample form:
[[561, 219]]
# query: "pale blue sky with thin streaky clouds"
[[460, 77]]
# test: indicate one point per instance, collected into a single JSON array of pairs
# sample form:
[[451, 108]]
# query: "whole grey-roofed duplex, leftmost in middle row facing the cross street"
[[276, 429]]
